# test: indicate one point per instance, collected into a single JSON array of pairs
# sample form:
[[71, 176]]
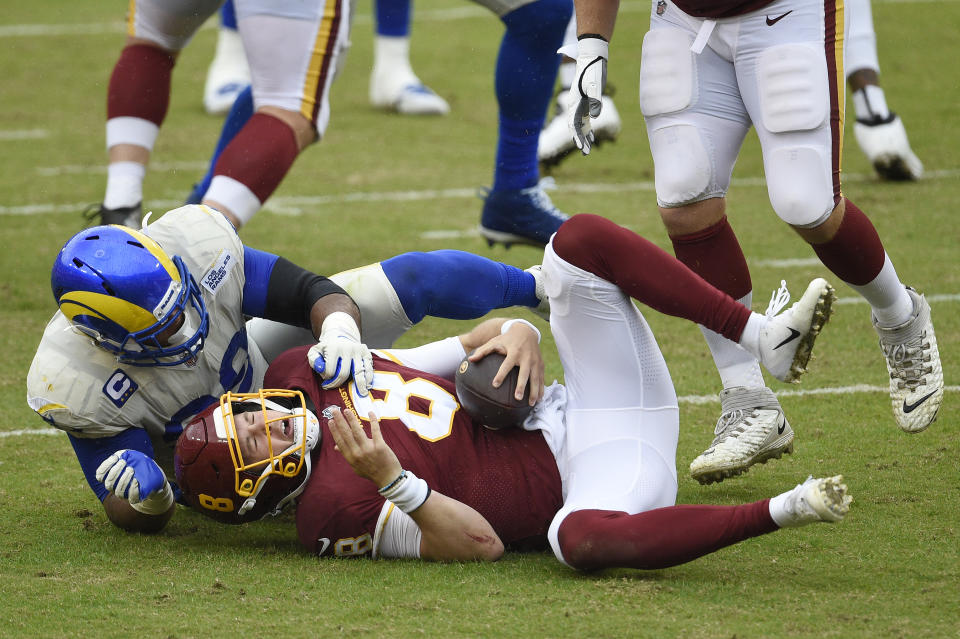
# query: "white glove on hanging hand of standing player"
[[587, 88]]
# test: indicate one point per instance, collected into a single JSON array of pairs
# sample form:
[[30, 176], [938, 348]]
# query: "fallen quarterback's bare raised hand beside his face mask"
[[370, 457]]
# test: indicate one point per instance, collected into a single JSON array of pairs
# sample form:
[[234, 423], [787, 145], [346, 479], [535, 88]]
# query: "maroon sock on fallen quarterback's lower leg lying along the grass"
[[594, 539]]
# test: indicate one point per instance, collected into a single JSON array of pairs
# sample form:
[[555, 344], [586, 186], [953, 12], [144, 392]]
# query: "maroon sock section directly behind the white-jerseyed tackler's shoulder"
[[260, 155]]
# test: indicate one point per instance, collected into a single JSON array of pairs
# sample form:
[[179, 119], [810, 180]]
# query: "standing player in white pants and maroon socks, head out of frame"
[[710, 71]]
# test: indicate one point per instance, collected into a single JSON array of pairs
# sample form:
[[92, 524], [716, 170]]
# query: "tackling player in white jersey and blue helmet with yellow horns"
[[152, 328]]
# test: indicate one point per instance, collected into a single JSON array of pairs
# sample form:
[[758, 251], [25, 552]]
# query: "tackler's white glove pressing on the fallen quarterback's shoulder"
[[339, 354]]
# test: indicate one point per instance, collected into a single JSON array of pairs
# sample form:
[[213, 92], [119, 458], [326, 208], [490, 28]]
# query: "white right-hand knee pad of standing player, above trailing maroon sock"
[[799, 184]]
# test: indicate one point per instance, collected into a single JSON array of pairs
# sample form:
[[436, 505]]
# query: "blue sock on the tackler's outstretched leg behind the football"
[[456, 284]]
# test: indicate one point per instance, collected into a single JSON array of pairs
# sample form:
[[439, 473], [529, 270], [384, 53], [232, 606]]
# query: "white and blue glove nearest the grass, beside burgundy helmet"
[[134, 476]]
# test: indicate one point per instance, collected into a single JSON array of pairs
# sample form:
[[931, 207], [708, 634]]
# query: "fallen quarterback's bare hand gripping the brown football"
[[520, 345]]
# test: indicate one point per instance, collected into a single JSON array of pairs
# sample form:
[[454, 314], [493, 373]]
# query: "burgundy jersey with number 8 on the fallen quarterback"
[[508, 476]]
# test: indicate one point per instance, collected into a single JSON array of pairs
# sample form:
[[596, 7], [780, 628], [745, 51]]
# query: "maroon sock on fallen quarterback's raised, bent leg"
[[648, 274]]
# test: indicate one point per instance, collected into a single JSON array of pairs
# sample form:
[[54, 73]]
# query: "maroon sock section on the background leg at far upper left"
[[140, 84]]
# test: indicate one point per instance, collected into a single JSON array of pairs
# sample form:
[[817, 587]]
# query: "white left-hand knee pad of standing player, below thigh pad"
[[683, 167]]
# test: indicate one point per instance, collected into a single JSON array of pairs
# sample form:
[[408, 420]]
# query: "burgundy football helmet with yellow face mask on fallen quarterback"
[[216, 479]]
